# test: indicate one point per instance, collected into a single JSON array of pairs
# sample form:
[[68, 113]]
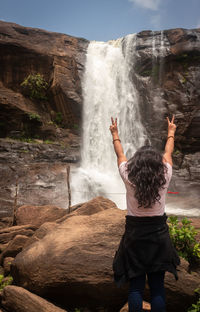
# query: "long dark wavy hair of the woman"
[[146, 171]]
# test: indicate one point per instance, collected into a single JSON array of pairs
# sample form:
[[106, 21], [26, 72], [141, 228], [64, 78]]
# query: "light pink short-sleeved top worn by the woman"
[[132, 204]]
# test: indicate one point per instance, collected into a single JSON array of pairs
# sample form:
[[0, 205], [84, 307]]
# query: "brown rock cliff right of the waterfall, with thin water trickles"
[[166, 71]]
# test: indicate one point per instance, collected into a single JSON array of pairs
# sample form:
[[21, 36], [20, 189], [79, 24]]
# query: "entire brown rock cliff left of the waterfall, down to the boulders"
[[33, 171]]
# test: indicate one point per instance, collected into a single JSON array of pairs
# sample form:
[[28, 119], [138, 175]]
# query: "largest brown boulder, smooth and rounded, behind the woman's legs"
[[74, 257]]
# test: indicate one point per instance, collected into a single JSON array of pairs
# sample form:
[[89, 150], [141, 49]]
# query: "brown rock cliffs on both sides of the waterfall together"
[[166, 71]]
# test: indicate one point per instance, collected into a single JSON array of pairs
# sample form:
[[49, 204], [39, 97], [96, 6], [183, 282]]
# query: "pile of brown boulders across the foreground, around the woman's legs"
[[63, 261]]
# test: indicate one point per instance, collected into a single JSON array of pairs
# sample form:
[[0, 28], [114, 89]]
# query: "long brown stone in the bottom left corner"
[[18, 299]]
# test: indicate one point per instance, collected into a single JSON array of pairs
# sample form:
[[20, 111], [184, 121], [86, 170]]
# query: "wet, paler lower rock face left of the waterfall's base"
[[34, 174]]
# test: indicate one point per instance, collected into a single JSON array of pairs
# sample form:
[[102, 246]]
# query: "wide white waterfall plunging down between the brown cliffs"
[[108, 91]]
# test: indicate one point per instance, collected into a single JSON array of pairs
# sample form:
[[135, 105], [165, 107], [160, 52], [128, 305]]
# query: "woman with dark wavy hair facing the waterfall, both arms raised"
[[145, 248]]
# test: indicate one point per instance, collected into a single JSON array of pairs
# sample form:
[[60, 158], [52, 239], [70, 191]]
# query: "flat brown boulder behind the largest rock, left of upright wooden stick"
[[37, 215]]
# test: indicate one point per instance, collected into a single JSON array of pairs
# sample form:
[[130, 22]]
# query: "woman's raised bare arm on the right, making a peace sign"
[[169, 147]]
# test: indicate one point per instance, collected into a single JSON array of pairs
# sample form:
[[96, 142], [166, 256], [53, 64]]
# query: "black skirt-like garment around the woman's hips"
[[145, 247]]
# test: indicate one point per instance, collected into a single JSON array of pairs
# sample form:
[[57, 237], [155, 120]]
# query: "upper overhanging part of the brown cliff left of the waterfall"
[[58, 58]]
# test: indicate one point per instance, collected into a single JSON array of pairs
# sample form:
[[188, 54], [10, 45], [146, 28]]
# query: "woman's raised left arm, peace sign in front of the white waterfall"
[[117, 143]]
